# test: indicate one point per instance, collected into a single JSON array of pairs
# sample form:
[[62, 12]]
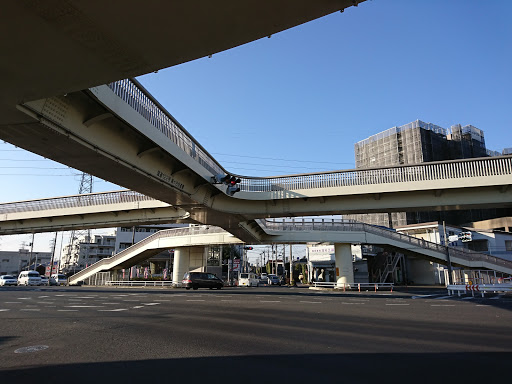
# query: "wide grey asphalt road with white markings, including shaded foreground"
[[250, 335]]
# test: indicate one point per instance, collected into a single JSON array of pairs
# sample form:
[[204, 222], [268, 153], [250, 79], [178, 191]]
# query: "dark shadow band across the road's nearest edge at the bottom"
[[314, 368]]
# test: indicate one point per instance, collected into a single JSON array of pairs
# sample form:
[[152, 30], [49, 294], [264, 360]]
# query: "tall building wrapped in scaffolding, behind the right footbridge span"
[[420, 142]]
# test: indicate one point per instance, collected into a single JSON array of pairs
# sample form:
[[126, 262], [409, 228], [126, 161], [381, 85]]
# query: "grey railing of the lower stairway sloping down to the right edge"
[[349, 225]]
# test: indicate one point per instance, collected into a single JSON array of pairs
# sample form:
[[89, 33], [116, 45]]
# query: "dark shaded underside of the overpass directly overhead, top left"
[[60, 46]]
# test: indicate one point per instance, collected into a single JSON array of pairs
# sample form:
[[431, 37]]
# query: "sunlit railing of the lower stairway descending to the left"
[[193, 230]]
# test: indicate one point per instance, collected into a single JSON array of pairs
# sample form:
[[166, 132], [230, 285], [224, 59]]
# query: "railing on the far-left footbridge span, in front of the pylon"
[[85, 200]]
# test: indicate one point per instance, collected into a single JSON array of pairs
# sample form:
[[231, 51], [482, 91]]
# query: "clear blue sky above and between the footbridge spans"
[[298, 101]]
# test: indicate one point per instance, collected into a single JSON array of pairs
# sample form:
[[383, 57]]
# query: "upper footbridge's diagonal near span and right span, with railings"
[[120, 133]]
